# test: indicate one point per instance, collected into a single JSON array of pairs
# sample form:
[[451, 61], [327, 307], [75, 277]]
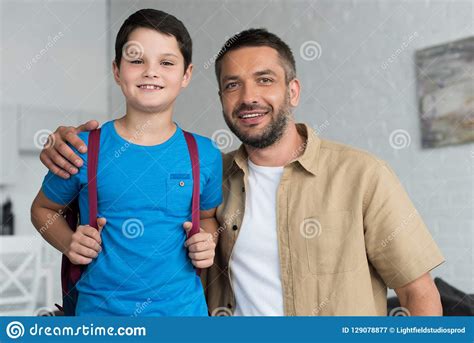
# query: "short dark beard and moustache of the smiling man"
[[271, 134]]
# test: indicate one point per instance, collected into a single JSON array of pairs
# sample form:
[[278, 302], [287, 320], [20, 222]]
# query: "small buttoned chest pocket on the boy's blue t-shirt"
[[179, 191]]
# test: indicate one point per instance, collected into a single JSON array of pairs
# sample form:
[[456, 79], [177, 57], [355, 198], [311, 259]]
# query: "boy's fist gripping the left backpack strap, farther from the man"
[[85, 243]]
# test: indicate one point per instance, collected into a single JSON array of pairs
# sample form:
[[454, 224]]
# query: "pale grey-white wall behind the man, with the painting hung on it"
[[355, 92]]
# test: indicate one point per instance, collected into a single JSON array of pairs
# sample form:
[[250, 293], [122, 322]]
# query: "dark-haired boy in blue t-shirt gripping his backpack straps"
[[144, 184]]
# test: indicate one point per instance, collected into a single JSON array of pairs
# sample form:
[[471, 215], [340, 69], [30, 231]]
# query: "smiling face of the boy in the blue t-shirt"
[[151, 71]]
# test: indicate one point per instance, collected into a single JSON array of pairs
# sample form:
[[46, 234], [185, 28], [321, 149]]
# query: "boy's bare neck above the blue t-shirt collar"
[[146, 128]]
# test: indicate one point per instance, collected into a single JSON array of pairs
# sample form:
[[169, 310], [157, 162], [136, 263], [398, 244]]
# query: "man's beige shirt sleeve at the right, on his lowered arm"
[[398, 243]]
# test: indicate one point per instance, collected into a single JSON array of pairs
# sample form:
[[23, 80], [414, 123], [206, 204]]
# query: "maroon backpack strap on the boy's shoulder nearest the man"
[[196, 215]]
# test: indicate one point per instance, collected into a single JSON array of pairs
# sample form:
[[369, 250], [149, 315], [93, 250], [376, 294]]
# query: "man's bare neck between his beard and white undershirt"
[[289, 147]]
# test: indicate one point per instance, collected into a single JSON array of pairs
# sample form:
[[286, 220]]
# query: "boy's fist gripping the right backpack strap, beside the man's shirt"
[[201, 247]]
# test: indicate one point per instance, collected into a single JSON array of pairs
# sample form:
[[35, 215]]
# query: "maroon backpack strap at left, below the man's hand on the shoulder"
[[92, 162]]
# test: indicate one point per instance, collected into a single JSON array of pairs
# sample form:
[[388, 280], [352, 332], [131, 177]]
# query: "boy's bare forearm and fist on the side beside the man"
[[201, 246]]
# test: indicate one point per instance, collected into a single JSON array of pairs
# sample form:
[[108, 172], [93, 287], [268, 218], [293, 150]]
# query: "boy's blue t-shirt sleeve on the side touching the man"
[[211, 195]]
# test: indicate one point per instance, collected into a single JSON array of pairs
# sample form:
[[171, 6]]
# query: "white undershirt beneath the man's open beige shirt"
[[255, 262]]
